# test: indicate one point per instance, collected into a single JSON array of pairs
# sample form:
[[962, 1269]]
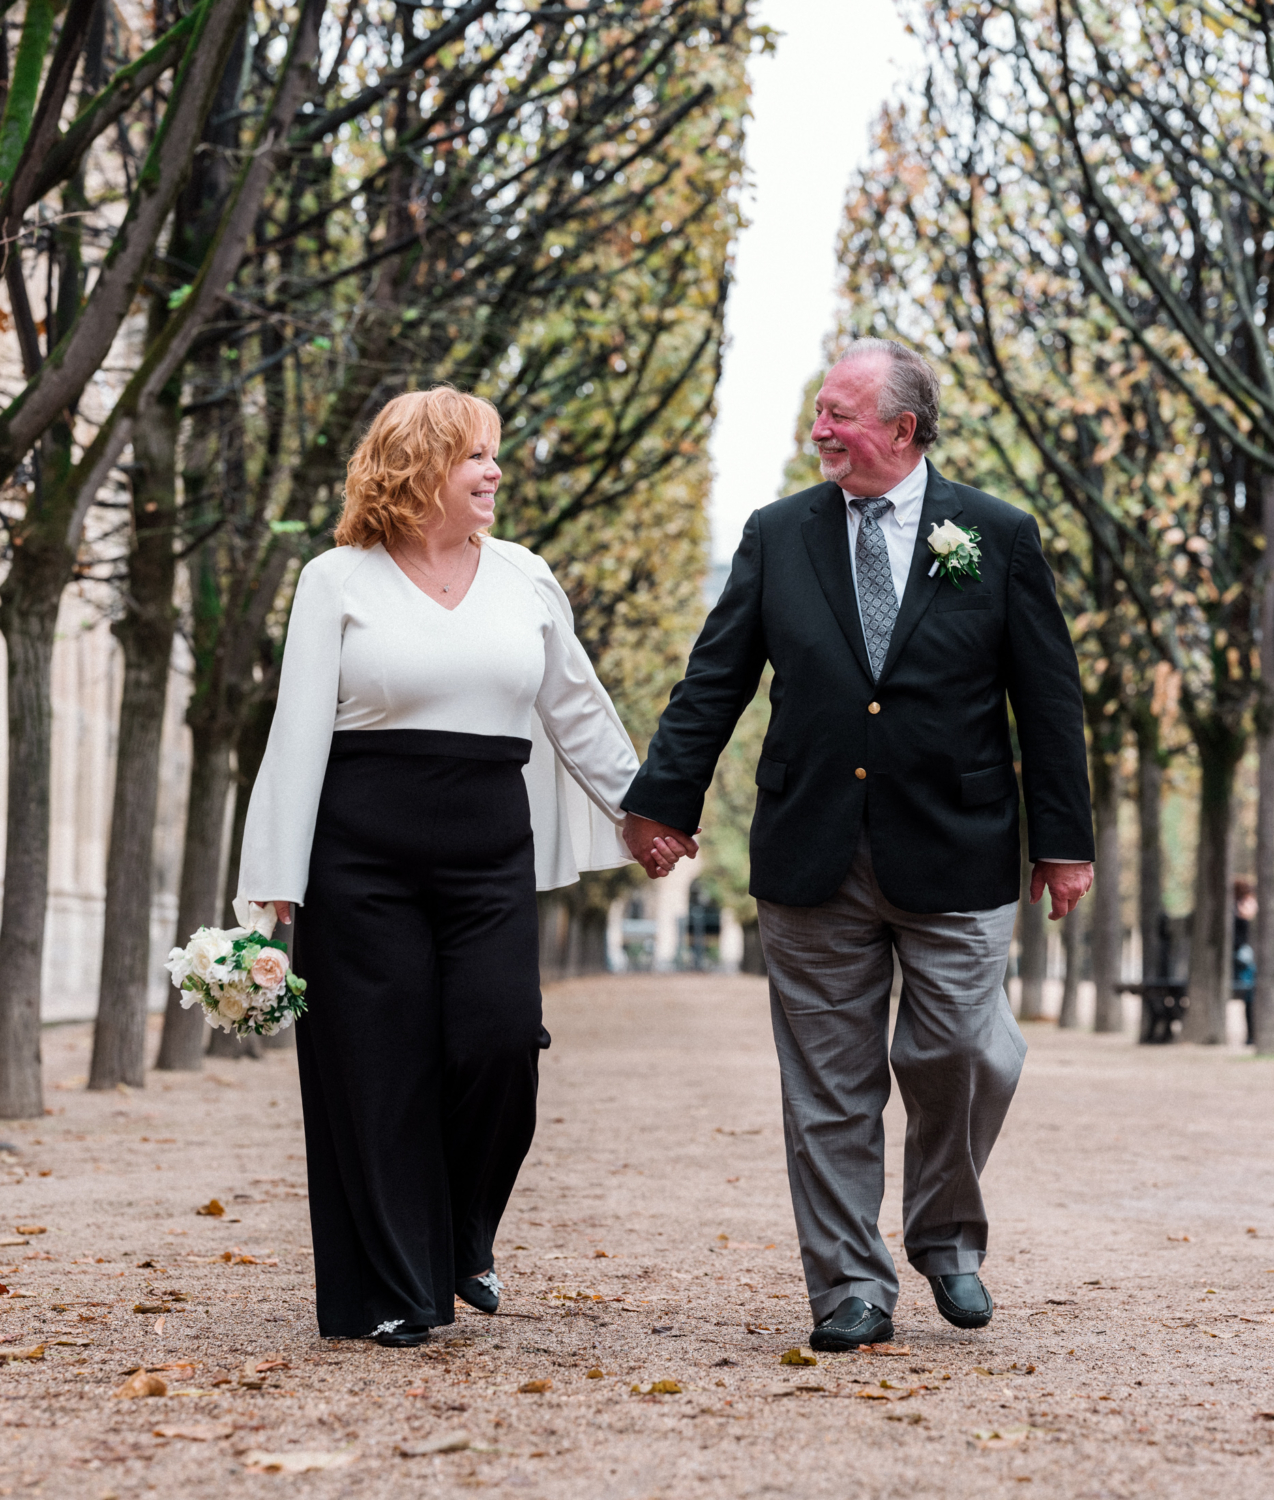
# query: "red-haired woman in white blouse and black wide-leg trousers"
[[413, 797]]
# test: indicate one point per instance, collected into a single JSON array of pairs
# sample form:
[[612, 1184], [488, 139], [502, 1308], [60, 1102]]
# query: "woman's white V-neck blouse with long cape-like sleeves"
[[368, 650]]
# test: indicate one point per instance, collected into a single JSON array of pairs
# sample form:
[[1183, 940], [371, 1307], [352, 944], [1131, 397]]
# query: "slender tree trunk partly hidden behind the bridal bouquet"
[[199, 904]]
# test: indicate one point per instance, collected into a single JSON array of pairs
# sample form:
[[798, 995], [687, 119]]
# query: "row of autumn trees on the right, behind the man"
[[1072, 215]]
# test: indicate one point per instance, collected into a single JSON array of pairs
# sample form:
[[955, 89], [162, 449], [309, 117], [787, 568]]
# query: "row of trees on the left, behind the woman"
[[272, 218]]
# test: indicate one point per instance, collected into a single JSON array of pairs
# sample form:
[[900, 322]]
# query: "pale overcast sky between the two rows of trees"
[[813, 106]]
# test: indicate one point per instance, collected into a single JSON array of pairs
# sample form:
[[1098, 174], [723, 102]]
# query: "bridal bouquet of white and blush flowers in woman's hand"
[[241, 976]]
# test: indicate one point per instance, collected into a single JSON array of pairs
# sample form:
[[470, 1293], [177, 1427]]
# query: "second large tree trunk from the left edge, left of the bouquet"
[[146, 635]]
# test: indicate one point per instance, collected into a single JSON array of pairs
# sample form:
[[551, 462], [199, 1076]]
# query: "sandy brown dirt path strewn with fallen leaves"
[[651, 1240]]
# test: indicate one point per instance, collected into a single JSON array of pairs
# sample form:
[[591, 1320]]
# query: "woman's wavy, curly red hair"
[[397, 473]]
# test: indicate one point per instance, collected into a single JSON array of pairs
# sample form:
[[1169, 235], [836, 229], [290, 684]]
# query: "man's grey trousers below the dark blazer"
[[957, 1054]]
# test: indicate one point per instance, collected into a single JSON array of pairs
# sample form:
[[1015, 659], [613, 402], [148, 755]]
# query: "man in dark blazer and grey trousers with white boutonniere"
[[886, 821]]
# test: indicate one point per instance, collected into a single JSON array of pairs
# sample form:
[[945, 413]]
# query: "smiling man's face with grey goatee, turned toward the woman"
[[858, 451]]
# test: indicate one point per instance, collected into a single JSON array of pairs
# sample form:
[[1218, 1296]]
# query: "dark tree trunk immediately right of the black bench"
[[1212, 937]]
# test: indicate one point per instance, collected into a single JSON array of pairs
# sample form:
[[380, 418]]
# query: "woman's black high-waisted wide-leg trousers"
[[419, 1051]]
